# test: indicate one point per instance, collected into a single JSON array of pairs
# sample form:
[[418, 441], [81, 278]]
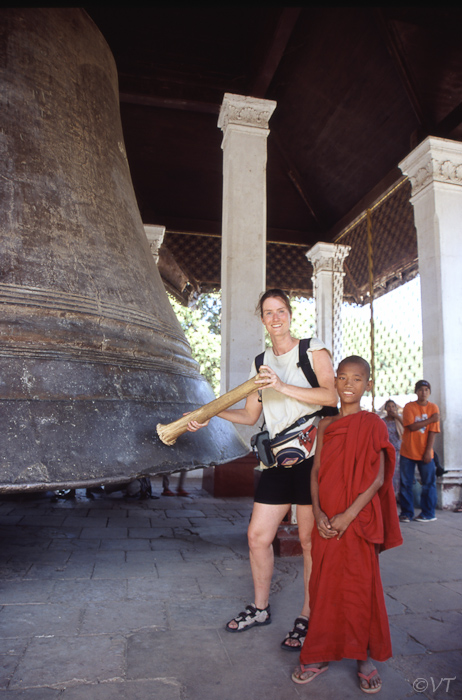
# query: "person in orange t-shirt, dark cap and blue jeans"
[[421, 423]]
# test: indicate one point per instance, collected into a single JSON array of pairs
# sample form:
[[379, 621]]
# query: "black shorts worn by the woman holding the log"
[[279, 485]]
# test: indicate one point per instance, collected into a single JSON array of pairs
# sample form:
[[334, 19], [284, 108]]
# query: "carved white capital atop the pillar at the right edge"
[[435, 160]]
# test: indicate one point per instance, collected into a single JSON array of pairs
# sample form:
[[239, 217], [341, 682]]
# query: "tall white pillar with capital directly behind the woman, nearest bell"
[[244, 122]]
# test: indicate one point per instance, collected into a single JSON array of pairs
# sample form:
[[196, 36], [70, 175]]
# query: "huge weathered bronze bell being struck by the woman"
[[92, 356]]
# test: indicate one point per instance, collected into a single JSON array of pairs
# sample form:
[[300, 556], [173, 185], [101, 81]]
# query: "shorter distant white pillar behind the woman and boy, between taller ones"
[[327, 260]]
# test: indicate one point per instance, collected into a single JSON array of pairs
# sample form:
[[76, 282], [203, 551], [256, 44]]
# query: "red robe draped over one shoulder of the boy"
[[348, 614]]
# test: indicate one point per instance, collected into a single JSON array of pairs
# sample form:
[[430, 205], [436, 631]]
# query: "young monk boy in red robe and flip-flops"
[[356, 516]]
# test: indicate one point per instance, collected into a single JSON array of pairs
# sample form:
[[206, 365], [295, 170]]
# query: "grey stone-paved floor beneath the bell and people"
[[117, 598]]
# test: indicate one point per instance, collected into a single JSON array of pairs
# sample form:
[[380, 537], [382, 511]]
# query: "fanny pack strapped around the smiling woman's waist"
[[287, 448]]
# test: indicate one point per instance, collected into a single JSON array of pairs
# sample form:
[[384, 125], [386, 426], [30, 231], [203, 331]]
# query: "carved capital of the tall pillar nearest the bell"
[[243, 113]]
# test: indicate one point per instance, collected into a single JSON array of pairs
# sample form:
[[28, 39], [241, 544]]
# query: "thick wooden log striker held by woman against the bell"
[[171, 431]]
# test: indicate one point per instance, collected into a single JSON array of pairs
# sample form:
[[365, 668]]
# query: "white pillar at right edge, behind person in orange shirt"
[[434, 169]]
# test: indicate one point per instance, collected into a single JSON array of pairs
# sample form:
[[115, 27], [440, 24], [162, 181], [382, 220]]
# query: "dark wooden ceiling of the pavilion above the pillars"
[[356, 90]]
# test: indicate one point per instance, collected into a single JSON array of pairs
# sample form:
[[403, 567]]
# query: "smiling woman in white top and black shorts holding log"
[[285, 397]]
